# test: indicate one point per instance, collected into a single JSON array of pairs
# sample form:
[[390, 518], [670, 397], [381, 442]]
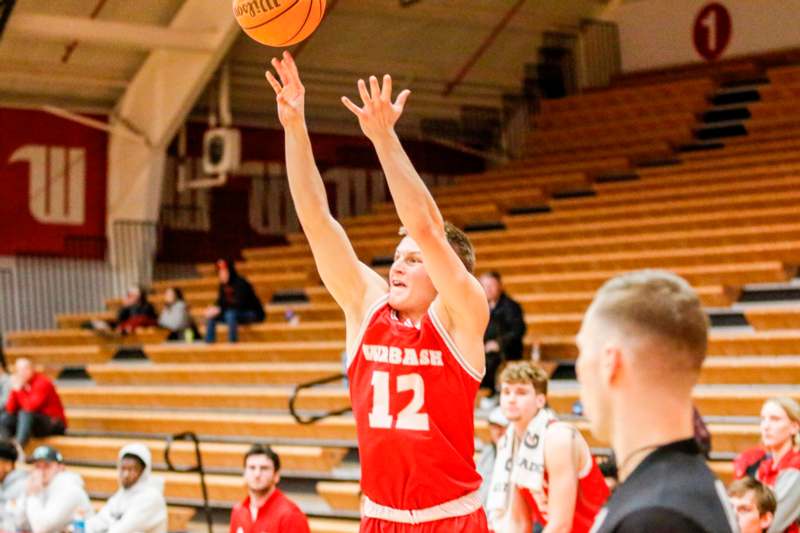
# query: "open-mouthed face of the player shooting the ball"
[[410, 287]]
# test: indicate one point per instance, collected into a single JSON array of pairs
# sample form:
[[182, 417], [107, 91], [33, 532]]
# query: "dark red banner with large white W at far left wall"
[[53, 186]]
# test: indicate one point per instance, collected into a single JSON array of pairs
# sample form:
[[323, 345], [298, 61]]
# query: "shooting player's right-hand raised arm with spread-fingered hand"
[[460, 294]]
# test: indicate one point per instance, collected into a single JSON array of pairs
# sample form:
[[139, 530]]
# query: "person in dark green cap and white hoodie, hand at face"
[[54, 496]]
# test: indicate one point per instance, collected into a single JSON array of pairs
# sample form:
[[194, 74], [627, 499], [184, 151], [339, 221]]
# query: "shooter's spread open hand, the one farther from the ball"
[[379, 114]]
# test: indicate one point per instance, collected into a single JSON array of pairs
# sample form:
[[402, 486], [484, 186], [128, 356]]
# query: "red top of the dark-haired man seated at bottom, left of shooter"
[[278, 515]]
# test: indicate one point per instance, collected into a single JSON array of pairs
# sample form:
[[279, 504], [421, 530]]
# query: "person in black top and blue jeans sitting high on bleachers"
[[237, 303]]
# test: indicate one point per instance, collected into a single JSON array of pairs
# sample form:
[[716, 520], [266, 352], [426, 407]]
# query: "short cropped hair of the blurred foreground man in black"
[[658, 303]]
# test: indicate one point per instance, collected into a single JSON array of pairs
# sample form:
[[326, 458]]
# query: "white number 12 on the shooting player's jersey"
[[409, 417]]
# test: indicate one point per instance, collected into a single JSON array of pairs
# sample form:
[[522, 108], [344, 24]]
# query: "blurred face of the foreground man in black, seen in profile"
[[593, 393]]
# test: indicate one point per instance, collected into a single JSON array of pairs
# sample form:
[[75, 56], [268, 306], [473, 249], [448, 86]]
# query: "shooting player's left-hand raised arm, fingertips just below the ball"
[[351, 283]]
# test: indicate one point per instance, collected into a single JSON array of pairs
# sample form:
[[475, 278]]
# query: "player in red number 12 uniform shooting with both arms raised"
[[415, 345]]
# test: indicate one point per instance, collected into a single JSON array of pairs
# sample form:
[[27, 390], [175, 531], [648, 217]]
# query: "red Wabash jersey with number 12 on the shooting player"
[[413, 397]]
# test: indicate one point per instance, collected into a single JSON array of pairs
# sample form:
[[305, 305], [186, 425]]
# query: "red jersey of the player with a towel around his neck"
[[592, 495]]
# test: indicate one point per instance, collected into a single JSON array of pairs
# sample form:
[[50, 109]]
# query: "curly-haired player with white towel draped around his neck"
[[544, 471]]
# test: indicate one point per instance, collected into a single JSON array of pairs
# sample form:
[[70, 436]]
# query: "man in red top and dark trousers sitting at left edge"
[[33, 407]]
